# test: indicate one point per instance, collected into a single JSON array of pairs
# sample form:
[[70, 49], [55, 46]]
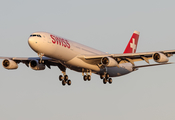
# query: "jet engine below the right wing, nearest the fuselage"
[[109, 62]]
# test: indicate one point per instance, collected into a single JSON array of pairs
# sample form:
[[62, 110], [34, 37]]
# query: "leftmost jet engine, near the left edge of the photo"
[[9, 64]]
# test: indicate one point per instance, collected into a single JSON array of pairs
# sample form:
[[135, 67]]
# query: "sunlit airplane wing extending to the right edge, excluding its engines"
[[125, 58]]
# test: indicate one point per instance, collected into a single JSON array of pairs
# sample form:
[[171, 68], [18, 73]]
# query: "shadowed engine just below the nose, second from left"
[[35, 65]]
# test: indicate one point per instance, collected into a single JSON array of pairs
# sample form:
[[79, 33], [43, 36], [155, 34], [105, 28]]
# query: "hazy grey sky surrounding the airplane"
[[146, 94]]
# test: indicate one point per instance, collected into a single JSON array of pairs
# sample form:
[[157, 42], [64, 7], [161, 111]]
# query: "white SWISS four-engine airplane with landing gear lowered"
[[53, 50]]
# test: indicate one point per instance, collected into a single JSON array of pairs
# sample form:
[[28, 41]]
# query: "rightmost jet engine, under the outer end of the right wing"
[[160, 58]]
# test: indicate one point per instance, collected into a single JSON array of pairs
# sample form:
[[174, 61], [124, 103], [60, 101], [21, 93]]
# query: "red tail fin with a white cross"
[[132, 45]]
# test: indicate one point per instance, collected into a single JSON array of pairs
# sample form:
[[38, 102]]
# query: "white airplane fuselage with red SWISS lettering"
[[68, 51]]
